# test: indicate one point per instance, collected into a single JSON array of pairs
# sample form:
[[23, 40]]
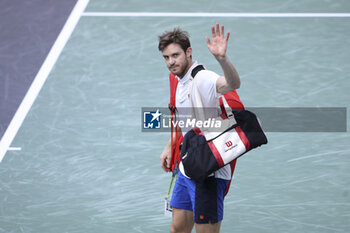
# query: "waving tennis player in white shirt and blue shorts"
[[198, 204]]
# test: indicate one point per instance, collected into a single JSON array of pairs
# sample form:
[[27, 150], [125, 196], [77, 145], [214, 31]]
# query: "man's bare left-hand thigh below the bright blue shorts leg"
[[182, 221]]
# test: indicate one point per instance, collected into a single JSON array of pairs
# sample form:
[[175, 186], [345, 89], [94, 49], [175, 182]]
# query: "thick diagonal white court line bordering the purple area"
[[41, 77]]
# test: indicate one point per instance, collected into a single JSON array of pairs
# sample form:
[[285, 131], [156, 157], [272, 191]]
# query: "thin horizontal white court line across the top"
[[228, 15]]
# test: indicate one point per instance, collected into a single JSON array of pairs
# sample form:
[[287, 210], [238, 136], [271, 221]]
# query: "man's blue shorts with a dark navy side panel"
[[205, 199]]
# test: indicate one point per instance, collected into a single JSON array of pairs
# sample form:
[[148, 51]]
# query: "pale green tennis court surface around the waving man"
[[80, 162]]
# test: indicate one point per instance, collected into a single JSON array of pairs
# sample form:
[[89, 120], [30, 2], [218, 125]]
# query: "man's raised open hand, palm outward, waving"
[[218, 45]]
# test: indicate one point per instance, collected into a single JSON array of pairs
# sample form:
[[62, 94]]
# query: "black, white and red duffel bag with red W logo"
[[204, 152]]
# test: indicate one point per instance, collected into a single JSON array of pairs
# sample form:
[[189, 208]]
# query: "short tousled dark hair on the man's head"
[[177, 36]]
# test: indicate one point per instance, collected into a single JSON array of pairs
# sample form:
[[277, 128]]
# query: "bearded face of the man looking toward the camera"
[[176, 59]]
